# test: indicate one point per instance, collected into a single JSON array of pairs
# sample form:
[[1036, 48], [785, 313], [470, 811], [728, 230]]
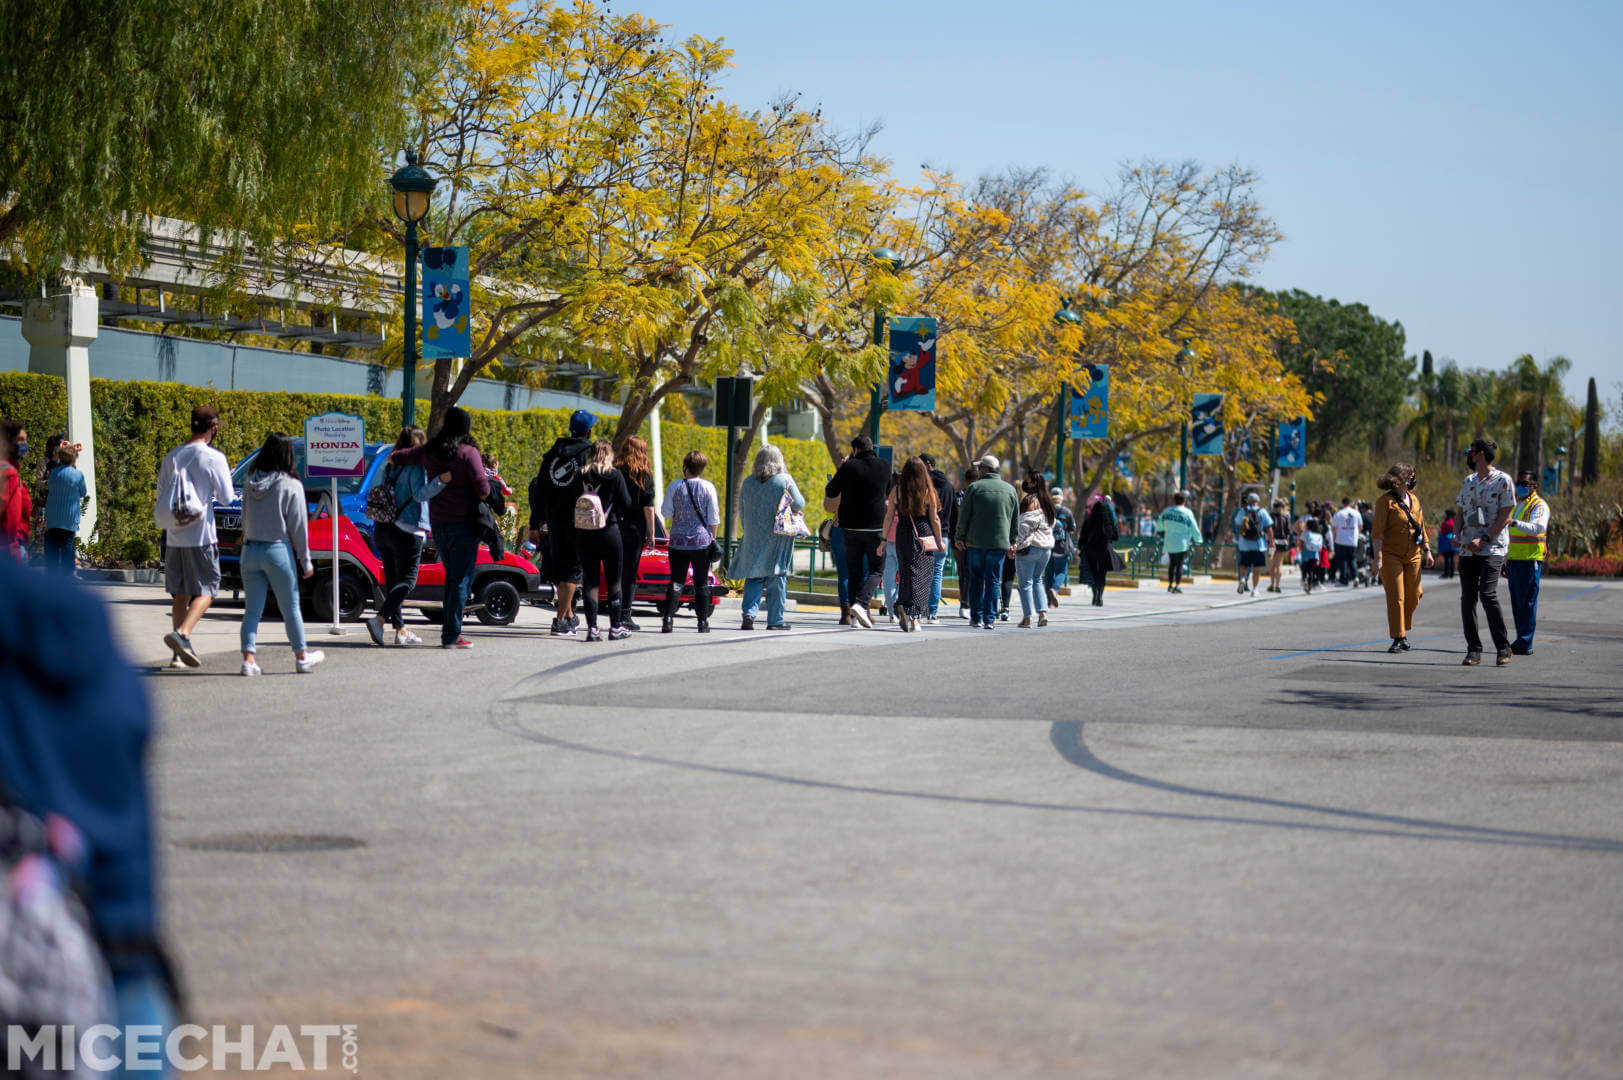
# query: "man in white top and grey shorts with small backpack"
[[191, 482]]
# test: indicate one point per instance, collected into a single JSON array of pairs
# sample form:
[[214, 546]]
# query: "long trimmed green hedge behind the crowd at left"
[[139, 423]]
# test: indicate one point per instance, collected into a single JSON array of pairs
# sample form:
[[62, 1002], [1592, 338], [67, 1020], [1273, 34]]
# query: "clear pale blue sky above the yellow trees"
[[1450, 165]]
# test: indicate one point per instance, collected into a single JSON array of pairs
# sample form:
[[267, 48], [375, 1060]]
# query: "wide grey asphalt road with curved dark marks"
[[1182, 837]]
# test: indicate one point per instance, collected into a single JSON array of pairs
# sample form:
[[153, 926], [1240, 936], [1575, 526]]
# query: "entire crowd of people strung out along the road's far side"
[[890, 532]]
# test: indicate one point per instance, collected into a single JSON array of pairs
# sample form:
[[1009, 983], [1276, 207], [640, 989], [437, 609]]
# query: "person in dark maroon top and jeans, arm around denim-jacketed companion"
[[454, 512]]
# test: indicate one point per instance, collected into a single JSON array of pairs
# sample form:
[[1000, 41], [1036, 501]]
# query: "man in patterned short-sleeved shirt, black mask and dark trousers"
[[1487, 499]]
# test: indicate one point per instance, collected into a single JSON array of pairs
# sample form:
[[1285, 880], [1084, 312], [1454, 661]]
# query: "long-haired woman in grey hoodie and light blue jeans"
[[275, 551]]
